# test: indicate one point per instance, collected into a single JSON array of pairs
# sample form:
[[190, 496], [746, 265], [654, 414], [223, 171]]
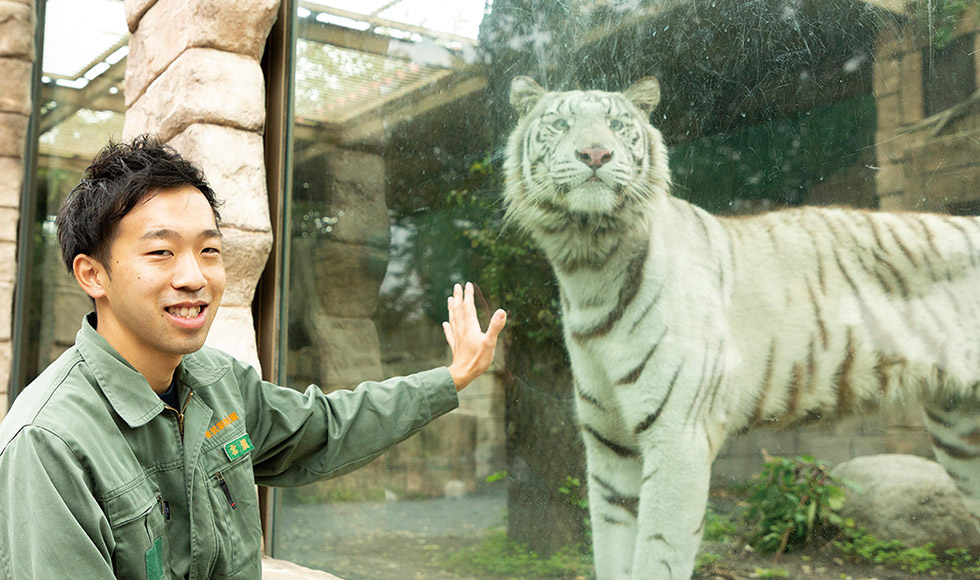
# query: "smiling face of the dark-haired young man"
[[165, 279]]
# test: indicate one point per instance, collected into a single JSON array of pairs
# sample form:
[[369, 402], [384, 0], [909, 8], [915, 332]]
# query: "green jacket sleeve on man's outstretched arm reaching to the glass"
[[303, 437]]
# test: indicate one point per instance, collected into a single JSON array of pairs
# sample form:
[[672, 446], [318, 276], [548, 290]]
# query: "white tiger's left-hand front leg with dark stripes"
[[613, 486]]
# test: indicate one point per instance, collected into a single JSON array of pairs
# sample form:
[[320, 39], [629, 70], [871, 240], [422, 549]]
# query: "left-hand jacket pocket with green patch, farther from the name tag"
[[137, 522]]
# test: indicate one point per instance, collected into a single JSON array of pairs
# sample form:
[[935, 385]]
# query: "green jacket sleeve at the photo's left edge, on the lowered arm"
[[49, 520]]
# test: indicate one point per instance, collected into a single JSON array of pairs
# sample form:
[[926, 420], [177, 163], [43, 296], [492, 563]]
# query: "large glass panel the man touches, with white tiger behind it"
[[403, 112]]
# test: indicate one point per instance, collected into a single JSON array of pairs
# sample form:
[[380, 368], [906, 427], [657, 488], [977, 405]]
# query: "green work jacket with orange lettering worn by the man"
[[102, 480]]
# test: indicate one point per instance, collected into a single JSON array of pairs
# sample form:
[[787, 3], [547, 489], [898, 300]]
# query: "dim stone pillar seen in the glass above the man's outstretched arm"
[[337, 270]]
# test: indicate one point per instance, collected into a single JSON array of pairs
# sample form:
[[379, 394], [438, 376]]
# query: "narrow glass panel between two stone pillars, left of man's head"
[[83, 63]]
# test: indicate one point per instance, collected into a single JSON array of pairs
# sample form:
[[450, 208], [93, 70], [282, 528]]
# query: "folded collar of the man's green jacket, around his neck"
[[126, 389]]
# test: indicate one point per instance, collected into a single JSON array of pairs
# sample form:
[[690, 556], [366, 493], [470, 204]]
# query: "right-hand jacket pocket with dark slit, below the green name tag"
[[236, 517]]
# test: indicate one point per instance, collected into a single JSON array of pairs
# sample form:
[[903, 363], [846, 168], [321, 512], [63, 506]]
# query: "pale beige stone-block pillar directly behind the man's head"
[[193, 78]]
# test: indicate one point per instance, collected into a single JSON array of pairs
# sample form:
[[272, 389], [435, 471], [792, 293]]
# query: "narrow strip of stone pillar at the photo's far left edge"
[[16, 62]]
